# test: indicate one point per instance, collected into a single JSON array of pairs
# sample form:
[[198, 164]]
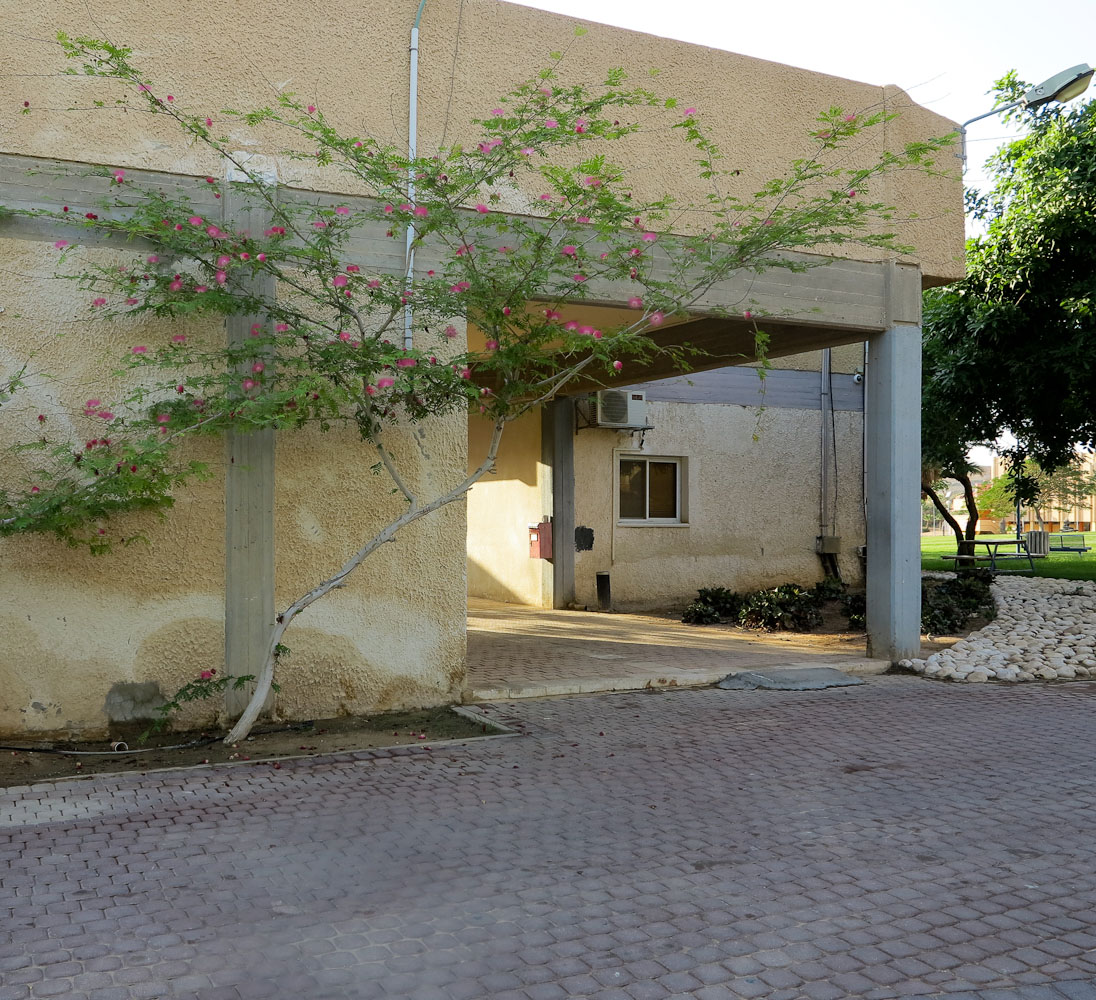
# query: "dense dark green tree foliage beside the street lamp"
[[1013, 346]]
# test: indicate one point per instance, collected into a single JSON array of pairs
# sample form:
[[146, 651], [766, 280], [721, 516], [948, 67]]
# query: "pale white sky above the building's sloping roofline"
[[945, 53]]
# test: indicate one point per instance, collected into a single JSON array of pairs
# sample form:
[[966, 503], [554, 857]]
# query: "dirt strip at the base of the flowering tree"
[[26, 763]]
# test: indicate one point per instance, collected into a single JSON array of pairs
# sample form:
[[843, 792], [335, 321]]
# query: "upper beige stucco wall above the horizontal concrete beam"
[[351, 60]]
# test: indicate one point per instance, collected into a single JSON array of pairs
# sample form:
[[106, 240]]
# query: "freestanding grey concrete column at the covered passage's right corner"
[[893, 426]]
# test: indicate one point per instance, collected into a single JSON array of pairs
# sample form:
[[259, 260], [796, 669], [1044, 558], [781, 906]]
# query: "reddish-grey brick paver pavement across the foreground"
[[904, 838]]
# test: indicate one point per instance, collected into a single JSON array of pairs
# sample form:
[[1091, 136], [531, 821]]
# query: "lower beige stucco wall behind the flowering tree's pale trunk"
[[74, 626]]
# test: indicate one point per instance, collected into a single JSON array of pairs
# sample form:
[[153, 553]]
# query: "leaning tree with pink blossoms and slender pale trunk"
[[375, 350]]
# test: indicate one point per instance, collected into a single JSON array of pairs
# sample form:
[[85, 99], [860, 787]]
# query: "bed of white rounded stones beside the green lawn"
[[1045, 631]]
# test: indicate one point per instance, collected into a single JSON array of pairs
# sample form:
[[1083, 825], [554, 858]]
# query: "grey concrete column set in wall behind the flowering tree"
[[249, 497]]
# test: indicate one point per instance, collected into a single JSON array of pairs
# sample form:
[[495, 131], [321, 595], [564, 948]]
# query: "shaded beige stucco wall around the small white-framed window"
[[752, 505]]
